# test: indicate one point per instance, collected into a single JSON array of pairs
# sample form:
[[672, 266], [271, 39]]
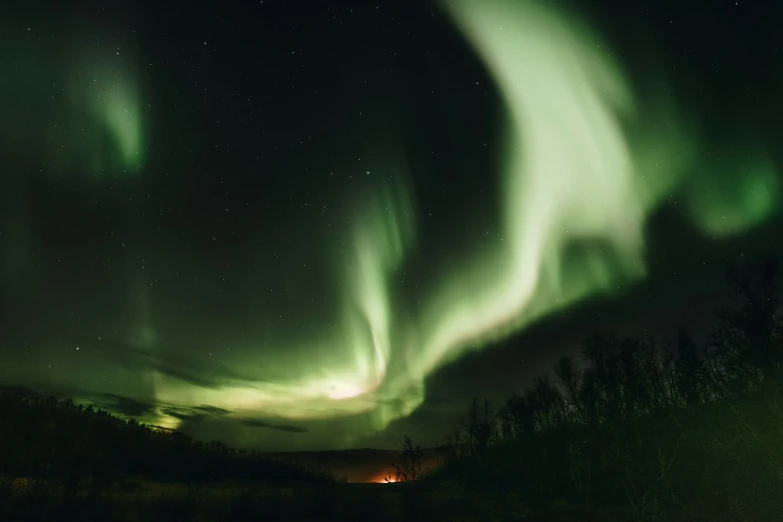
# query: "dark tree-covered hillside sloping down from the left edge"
[[46, 437]]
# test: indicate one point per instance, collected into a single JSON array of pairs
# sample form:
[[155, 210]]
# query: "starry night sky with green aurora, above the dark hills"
[[321, 225]]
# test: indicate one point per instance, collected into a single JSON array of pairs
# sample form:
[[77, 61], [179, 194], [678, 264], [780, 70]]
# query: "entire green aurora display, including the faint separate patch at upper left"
[[585, 164]]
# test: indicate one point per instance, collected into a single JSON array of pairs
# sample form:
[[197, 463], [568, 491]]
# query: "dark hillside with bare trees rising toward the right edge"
[[660, 429]]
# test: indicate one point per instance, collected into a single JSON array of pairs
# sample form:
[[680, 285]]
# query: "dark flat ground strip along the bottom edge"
[[41, 501]]
